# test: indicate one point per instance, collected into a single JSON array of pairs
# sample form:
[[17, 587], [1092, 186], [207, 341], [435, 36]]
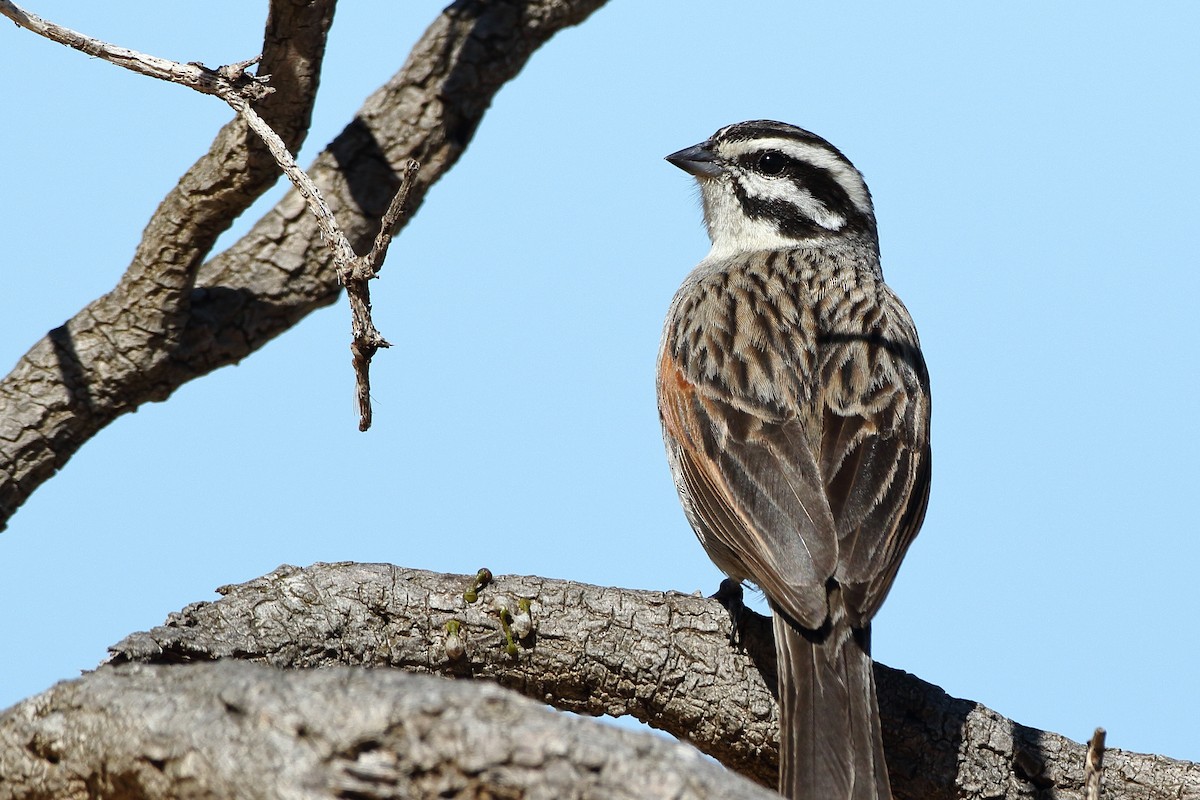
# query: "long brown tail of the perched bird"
[[831, 745]]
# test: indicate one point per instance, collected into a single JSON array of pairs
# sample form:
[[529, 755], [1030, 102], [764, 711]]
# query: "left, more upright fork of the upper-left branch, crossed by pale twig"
[[119, 351]]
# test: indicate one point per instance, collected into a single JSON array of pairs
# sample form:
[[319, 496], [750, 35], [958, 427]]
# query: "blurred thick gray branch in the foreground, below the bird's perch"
[[236, 731]]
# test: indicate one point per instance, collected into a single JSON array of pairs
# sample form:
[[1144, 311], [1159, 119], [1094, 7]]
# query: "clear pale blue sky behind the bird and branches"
[[1034, 171]]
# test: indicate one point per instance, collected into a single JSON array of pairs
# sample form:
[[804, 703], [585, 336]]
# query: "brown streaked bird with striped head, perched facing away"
[[795, 405]]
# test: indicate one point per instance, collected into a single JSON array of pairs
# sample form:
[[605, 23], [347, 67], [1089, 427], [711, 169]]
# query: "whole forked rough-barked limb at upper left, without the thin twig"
[[173, 318]]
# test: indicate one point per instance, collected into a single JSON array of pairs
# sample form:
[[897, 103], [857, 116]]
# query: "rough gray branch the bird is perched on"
[[664, 659]]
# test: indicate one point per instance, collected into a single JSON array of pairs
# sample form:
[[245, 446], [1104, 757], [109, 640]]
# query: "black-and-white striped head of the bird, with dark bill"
[[771, 187]]
